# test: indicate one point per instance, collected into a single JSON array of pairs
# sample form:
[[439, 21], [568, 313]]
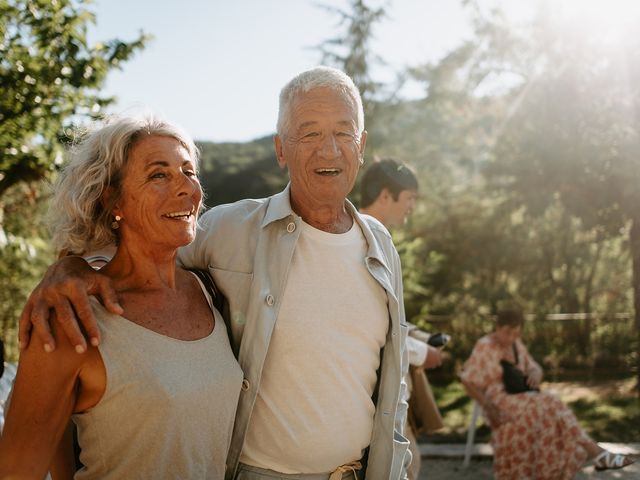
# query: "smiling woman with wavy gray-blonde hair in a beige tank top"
[[157, 398]]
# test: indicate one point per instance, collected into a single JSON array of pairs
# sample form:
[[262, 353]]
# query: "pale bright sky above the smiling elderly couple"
[[216, 67]]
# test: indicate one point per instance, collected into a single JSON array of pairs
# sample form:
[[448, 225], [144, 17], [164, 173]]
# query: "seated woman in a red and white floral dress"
[[534, 435]]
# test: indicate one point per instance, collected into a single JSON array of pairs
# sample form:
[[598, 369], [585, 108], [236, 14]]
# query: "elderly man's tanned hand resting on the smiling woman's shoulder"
[[65, 288]]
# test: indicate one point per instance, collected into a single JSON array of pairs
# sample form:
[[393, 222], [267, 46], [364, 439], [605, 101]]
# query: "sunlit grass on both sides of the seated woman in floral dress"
[[609, 411]]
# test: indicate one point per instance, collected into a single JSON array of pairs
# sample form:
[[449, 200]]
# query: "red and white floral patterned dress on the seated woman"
[[542, 440]]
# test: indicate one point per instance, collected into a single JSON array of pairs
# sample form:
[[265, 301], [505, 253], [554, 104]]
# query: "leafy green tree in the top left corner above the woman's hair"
[[50, 79]]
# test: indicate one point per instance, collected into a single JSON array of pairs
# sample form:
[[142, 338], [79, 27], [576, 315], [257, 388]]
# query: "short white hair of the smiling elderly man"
[[318, 77]]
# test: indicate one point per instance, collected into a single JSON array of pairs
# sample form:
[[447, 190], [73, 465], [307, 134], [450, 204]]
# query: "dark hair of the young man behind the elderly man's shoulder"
[[387, 173]]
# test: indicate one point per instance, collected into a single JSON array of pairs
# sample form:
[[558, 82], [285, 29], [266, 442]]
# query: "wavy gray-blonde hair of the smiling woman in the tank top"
[[78, 218]]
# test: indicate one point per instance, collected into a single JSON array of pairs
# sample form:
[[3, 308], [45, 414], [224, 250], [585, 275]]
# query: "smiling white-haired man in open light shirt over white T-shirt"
[[314, 295]]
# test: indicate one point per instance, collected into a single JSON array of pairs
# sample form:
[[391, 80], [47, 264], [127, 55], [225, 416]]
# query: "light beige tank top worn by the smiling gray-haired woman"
[[168, 408]]
